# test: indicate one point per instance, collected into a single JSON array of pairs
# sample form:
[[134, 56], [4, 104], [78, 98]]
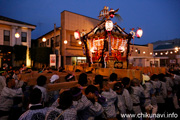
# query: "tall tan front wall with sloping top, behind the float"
[[70, 22]]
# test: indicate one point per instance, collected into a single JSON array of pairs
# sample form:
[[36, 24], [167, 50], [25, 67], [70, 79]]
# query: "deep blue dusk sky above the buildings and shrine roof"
[[159, 19]]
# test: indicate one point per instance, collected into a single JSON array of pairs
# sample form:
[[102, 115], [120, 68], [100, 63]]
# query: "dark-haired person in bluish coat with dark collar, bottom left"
[[36, 110]]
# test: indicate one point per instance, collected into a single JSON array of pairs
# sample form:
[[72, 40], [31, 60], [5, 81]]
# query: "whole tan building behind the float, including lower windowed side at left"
[[70, 53]]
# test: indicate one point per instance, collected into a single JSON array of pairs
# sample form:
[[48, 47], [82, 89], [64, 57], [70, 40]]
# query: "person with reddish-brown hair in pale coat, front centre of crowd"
[[111, 97]]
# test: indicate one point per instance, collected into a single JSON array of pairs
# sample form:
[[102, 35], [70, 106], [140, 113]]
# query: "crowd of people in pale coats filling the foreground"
[[158, 93]]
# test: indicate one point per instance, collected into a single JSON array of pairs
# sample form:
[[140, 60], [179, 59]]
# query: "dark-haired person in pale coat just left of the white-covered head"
[[41, 82]]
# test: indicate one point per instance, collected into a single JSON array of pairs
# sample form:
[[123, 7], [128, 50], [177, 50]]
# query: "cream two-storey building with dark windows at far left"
[[8, 28]]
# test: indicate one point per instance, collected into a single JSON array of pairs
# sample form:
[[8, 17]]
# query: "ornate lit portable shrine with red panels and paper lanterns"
[[107, 44]]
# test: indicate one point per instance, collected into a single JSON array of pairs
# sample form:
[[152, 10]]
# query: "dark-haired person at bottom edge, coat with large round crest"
[[65, 110]]
